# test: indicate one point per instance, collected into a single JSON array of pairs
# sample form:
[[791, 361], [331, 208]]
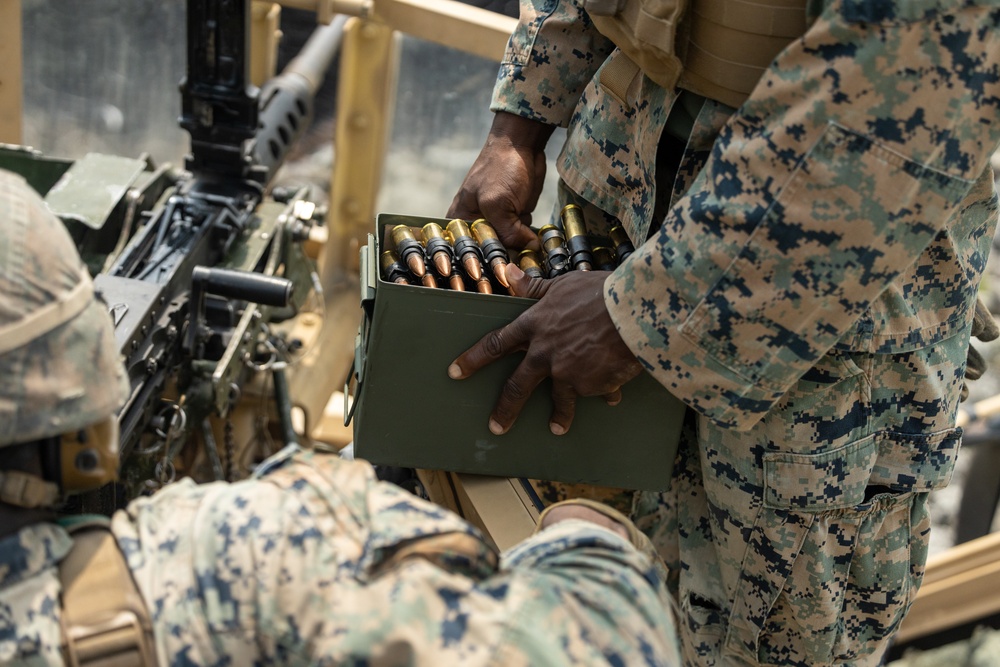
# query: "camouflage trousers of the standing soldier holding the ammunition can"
[[802, 541]]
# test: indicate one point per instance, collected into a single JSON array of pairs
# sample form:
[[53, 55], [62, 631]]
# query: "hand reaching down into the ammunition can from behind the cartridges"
[[506, 179]]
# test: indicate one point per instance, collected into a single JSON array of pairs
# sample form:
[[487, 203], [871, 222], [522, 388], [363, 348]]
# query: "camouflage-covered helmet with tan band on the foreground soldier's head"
[[60, 365]]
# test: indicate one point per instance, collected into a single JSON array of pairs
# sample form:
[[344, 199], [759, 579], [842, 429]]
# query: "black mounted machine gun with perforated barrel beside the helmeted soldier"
[[206, 259]]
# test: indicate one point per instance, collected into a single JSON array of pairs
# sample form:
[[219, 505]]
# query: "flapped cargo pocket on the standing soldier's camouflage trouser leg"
[[838, 550]]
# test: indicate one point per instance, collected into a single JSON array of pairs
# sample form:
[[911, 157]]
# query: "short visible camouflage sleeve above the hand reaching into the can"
[[551, 56]]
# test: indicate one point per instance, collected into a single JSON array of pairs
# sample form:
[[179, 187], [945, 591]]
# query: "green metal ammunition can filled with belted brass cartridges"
[[407, 339]]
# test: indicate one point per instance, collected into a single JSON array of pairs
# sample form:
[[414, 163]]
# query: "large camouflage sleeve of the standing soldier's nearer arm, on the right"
[[849, 158]]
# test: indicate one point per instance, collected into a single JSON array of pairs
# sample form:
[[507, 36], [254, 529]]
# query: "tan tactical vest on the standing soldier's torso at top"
[[716, 48]]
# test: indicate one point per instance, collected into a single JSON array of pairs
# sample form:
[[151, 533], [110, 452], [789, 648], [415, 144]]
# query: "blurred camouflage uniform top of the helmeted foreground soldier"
[[315, 562]]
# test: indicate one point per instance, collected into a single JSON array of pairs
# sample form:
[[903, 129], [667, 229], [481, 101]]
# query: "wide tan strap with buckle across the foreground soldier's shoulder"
[[105, 621]]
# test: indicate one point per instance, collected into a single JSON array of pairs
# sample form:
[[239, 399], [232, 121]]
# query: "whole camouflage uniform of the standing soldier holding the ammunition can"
[[809, 294]]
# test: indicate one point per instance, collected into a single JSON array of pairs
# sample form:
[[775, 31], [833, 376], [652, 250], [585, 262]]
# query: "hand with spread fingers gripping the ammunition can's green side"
[[568, 336]]
